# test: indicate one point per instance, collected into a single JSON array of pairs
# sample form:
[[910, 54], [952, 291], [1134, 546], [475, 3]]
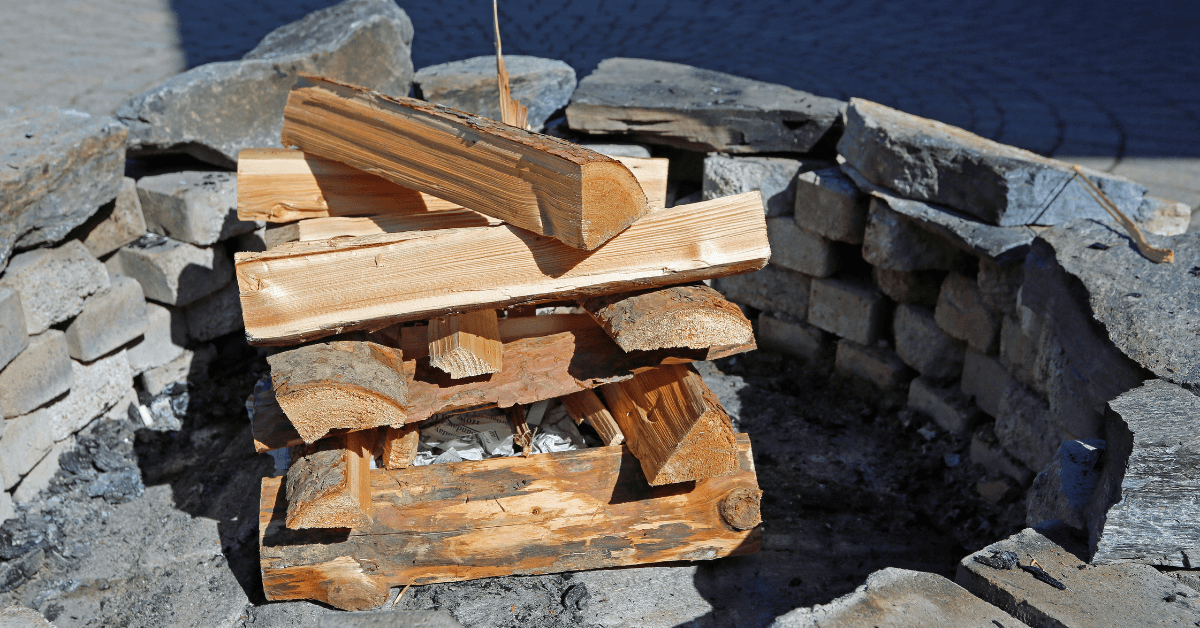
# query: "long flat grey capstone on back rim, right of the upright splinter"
[[671, 104]]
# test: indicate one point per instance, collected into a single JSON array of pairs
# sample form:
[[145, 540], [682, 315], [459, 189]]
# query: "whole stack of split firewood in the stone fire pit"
[[427, 262]]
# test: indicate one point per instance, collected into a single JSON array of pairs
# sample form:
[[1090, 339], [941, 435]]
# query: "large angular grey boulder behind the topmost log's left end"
[[218, 110]]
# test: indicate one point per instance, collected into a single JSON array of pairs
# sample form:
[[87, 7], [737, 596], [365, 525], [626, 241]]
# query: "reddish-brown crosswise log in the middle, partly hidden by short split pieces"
[[536, 368]]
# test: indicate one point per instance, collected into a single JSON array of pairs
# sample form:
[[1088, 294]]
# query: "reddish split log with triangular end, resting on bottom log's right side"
[[674, 424]]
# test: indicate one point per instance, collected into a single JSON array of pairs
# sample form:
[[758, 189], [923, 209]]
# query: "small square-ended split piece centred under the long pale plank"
[[466, 345]]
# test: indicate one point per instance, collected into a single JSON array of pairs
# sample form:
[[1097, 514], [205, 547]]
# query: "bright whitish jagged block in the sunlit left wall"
[[97, 388]]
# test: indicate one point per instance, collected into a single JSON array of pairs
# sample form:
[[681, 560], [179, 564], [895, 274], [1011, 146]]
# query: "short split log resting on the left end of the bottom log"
[[329, 485]]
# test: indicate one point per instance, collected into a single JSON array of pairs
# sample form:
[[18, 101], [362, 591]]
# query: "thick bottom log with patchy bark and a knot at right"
[[547, 513]]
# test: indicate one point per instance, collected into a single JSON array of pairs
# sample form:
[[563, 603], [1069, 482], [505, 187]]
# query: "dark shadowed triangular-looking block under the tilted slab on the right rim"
[[895, 242]]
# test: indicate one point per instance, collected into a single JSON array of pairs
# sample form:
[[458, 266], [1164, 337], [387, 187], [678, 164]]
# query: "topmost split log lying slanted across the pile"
[[535, 182]]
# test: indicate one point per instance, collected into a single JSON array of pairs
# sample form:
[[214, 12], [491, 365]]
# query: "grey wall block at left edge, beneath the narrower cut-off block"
[[39, 375]]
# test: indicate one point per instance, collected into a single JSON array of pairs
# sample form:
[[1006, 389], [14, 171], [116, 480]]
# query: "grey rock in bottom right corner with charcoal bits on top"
[[1120, 595]]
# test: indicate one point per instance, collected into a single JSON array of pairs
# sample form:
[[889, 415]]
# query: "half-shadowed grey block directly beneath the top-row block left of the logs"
[[176, 273]]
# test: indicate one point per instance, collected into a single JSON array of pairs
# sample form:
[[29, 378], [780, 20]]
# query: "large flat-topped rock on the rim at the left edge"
[[61, 166]]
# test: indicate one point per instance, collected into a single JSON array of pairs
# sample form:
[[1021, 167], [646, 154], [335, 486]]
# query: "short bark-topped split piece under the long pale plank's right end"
[[677, 316]]
